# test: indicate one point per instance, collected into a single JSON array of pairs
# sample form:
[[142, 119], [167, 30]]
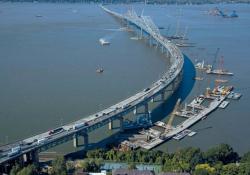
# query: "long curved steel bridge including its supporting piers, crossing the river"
[[26, 150]]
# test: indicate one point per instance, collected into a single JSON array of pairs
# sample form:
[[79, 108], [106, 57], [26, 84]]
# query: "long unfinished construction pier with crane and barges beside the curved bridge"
[[193, 112]]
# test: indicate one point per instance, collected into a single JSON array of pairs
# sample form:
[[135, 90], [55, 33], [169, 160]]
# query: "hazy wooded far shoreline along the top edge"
[[148, 1]]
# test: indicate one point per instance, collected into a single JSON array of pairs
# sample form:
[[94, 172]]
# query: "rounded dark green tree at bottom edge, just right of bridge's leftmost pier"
[[59, 166]]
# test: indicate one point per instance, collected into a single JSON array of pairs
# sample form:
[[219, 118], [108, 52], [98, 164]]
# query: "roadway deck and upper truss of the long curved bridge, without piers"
[[117, 110]]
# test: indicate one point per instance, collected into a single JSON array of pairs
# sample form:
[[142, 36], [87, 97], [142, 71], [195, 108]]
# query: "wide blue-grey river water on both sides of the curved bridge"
[[49, 54]]
